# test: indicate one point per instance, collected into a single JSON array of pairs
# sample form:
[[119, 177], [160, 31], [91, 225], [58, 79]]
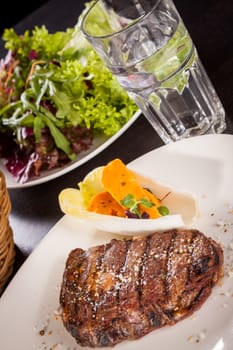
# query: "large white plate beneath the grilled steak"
[[202, 164]]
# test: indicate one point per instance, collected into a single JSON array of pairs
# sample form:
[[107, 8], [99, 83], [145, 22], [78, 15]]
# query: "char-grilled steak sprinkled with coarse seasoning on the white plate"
[[125, 289]]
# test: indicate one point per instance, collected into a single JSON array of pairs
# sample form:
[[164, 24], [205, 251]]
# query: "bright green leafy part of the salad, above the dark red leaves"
[[61, 69]]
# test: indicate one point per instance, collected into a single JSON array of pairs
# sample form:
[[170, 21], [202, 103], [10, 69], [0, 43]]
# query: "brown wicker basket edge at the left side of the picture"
[[7, 251]]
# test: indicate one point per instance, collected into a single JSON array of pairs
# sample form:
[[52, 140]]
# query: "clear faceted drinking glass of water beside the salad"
[[147, 47]]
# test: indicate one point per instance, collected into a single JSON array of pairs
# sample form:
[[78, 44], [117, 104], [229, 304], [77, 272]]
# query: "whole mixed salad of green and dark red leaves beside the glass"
[[56, 95]]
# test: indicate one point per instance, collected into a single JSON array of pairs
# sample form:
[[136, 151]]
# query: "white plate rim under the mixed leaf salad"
[[99, 144]]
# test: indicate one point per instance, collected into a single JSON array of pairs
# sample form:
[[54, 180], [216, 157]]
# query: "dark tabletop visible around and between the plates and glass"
[[35, 210]]
